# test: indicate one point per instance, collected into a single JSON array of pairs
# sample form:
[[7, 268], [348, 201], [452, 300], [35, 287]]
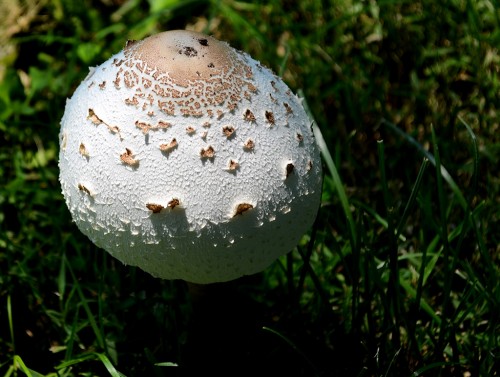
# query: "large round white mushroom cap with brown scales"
[[189, 159]]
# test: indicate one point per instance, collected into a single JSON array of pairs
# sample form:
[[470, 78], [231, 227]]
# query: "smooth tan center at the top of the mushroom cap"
[[186, 56]]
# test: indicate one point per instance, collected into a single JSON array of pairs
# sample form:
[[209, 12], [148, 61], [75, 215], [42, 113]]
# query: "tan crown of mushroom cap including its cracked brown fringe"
[[189, 73]]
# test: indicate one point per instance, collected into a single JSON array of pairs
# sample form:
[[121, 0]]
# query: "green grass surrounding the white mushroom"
[[399, 274]]
